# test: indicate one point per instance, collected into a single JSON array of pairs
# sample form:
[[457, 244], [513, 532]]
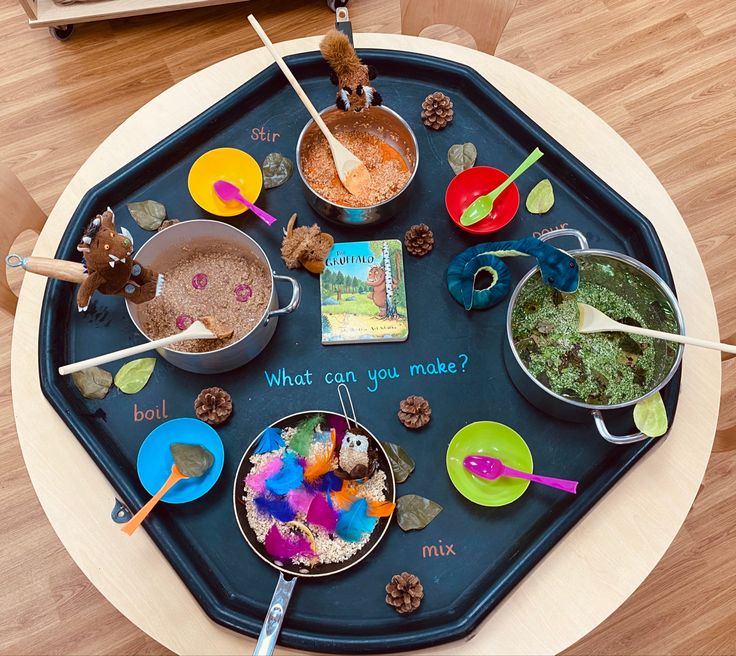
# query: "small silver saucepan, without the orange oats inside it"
[[386, 124]]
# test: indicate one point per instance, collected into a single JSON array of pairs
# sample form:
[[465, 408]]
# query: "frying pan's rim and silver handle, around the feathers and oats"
[[289, 572]]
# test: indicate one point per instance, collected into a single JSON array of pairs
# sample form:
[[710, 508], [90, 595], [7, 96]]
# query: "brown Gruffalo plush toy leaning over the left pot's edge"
[[109, 265]]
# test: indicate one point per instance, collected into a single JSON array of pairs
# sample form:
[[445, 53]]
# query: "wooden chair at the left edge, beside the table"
[[20, 213]]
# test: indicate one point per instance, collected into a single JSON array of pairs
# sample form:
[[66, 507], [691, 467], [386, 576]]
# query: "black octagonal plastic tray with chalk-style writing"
[[470, 556]]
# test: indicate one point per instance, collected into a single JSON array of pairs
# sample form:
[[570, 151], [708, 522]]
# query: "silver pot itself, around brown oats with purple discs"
[[167, 247]]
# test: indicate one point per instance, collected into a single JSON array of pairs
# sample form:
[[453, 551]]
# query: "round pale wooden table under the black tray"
[[593, 569]]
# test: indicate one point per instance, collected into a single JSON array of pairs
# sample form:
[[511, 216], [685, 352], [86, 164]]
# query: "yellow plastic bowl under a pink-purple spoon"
[[229, 164]]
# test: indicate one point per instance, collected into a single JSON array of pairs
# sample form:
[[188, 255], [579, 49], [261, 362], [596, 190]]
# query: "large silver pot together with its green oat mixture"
[[573, 376]]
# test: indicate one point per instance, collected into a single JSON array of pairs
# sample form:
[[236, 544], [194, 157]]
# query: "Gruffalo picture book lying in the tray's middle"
[[363, 293]]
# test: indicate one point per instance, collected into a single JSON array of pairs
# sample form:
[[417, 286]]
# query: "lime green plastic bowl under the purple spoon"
[[488, 438]]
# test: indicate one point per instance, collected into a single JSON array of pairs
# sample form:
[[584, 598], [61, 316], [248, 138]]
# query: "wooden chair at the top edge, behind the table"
[[484, 20]]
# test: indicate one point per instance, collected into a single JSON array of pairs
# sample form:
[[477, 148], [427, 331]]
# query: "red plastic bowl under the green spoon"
[[467, 185]]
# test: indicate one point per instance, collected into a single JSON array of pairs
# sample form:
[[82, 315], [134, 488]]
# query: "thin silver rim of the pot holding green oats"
[[654, 276]]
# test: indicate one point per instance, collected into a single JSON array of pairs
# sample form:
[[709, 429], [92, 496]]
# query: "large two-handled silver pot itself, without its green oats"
[[639, 285]]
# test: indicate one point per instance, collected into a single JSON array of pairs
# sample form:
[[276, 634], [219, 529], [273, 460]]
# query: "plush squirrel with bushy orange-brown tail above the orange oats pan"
[[350, 74]]
